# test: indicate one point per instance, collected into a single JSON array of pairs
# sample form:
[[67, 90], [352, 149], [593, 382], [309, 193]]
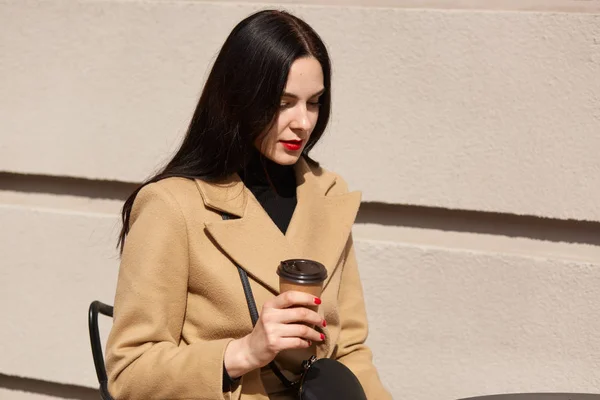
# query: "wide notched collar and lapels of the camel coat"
[[319, 228]]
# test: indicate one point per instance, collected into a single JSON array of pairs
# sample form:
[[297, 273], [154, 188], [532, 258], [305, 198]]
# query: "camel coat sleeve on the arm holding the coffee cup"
[[146, 358]]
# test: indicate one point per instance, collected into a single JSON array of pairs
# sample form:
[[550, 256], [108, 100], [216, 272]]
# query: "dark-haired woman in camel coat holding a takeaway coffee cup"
[[182, 328]]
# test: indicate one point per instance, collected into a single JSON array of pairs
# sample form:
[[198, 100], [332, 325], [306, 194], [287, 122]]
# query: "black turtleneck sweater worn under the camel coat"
[[274, 186]]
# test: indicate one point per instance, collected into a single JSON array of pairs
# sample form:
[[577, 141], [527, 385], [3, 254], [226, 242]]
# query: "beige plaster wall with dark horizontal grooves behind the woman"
[[472, 128]]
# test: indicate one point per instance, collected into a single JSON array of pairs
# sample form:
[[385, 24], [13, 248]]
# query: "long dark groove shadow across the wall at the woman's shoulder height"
[[547, 229]]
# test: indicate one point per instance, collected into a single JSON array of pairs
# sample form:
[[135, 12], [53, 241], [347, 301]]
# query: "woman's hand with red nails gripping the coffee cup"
[[280, 326]]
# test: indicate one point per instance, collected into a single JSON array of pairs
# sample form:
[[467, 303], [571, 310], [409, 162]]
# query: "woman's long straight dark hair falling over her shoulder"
[[241, 98]]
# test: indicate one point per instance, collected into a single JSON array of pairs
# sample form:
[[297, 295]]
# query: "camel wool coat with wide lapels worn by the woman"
[[179, 299]]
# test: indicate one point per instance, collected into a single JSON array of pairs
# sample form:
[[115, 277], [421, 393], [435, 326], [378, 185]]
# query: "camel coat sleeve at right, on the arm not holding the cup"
[[351, 348]]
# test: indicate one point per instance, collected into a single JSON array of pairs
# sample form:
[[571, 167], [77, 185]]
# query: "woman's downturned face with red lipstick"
[[298, 113]]
